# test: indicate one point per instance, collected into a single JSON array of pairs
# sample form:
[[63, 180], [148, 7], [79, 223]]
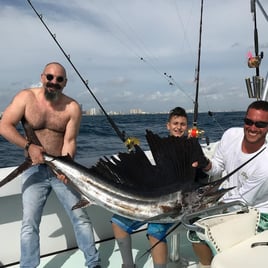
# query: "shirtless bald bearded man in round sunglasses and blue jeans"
[[55, 119]]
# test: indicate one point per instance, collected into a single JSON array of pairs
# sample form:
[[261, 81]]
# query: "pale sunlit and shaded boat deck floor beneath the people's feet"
[[110, 255]]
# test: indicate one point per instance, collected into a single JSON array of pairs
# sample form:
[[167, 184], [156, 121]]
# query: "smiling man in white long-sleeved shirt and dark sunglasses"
[[238, 145]]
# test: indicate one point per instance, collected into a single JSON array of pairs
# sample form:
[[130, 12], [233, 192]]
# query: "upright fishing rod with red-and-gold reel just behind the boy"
[[194, 131]]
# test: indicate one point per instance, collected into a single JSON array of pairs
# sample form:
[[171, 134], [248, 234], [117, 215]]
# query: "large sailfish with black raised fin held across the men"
[[131, 185]]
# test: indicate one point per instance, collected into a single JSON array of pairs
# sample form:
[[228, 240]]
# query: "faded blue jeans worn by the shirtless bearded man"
[[37, 183]]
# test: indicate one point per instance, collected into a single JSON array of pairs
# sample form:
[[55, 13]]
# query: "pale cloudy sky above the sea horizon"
[[134, 53]]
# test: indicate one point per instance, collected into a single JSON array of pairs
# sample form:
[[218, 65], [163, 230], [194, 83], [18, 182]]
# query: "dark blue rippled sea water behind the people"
[[97, 138]]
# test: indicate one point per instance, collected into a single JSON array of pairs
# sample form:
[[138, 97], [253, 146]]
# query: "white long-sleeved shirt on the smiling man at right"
[[251, 180]]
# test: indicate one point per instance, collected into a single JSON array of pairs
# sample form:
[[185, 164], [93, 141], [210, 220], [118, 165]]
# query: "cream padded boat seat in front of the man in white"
[[234, 239]]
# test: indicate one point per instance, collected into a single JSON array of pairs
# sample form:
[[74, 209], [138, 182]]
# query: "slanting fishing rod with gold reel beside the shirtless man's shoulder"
[[128, 141]]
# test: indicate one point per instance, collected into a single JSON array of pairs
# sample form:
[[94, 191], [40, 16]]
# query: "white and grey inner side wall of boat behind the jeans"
[[56, 231]]
